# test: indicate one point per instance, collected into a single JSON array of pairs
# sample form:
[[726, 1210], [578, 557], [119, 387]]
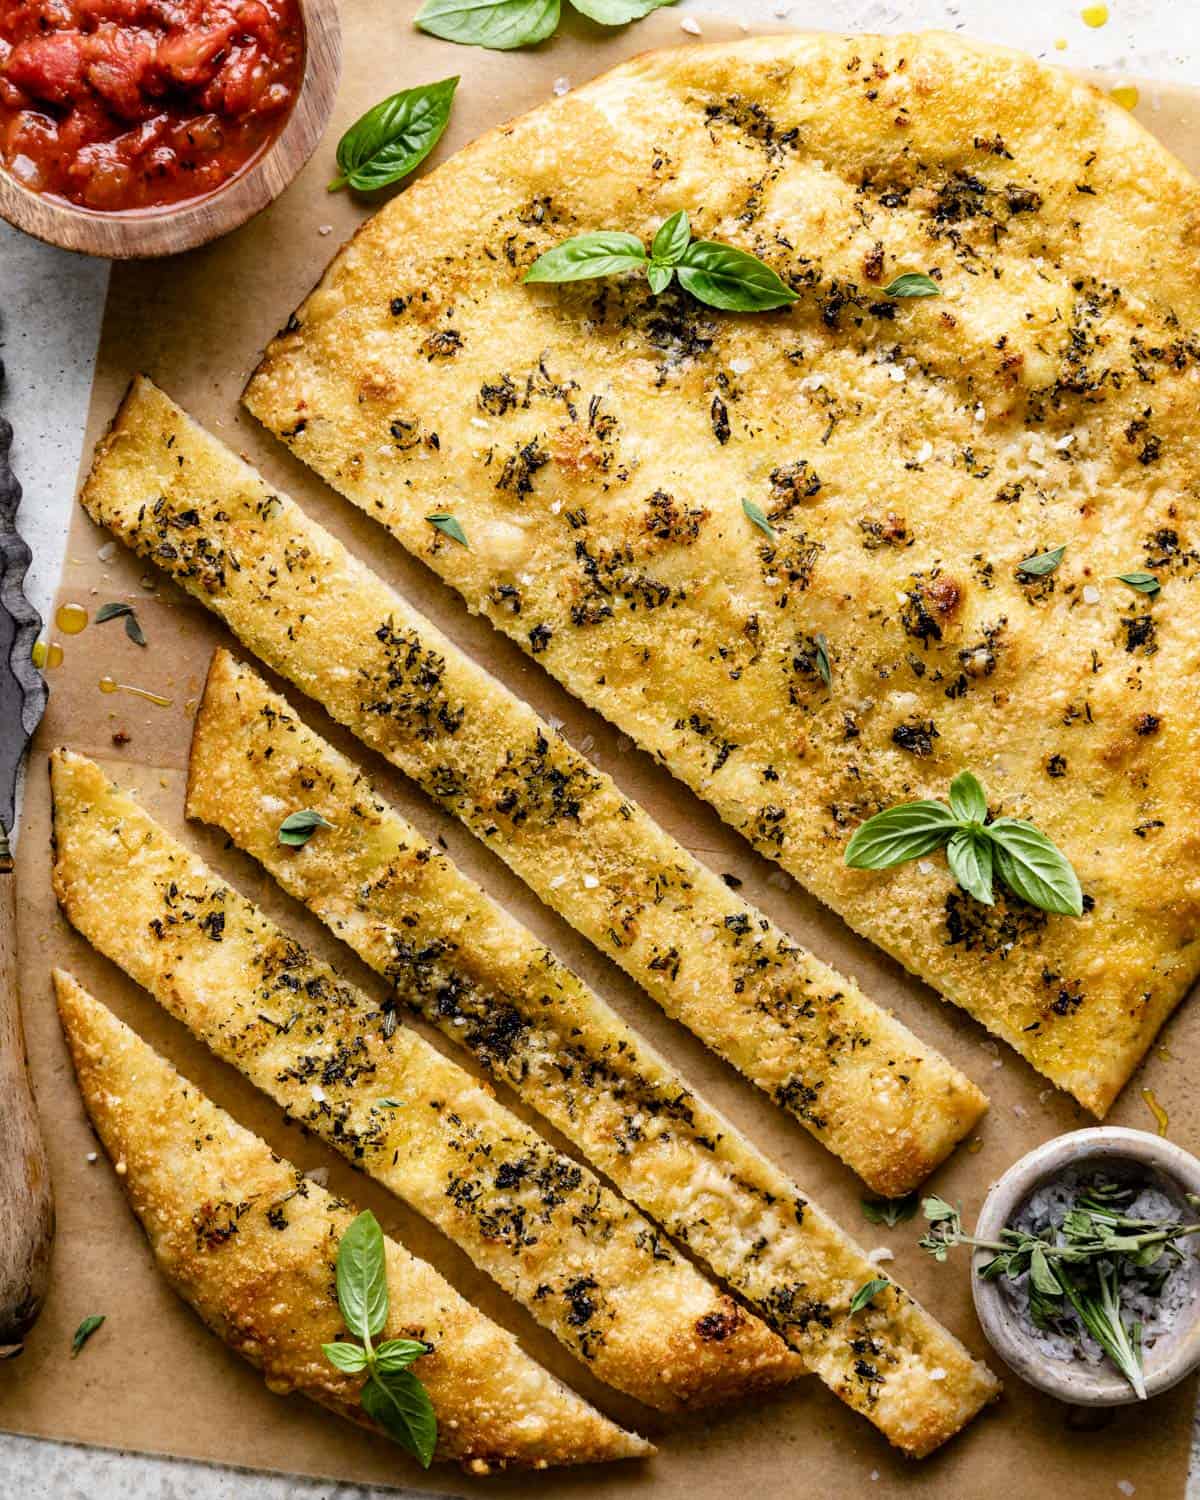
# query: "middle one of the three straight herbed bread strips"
[[467, 967]]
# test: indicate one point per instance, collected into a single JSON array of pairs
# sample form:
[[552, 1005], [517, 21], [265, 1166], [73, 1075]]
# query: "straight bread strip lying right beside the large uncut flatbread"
[[856, 1078]]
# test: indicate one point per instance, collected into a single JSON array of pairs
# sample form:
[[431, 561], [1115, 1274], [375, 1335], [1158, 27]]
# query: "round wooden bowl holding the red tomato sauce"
[[184, 227]]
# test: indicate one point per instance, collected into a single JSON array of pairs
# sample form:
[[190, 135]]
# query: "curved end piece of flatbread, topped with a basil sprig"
[[250, 1244]]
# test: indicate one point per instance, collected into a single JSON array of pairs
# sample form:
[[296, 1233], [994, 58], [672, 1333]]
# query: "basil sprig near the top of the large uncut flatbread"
[[715, 274]]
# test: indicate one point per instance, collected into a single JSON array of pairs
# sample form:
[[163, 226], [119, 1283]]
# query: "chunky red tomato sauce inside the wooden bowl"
[[139, 104]]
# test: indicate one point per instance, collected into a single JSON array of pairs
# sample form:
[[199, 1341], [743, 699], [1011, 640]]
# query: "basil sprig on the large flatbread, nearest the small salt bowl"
[[1024, 859]]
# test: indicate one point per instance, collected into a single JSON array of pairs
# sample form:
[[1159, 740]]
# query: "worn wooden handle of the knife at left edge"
[[26, 1199]]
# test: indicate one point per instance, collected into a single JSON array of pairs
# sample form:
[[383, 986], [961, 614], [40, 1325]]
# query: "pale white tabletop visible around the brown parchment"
[[52, 307]]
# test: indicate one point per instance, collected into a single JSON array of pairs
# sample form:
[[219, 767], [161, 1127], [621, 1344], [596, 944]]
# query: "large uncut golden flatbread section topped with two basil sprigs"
[[598, 443]]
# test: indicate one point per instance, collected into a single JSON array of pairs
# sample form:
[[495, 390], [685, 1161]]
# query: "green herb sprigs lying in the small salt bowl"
[[1081, 1268]]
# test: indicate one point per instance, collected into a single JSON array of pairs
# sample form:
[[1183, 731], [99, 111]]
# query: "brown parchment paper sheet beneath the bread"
[[154, 1379]]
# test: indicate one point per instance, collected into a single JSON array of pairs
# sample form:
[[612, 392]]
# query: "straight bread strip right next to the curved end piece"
[[586, 1264]]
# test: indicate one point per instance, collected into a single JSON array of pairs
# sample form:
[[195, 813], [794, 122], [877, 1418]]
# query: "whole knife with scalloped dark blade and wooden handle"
[[26, 1199]]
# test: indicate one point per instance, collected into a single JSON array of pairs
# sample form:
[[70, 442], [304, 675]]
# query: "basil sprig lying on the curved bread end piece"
[[392, 1396]]
